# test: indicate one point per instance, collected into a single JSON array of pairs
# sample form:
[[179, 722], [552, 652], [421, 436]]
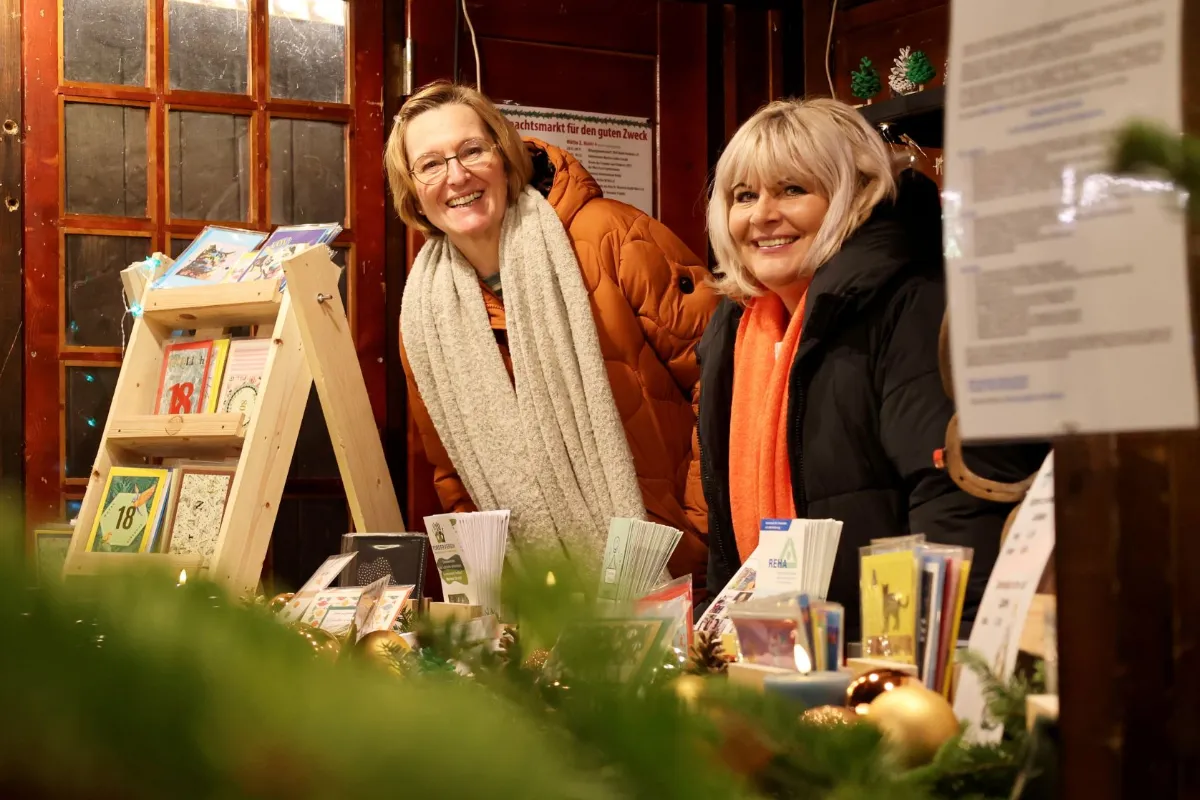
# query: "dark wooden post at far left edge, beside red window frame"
[[13, 345]]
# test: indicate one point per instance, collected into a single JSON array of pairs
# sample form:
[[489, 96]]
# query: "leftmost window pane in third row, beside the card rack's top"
[[95, 300]]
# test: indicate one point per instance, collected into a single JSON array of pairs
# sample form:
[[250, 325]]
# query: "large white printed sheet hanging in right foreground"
[[1067, 285]]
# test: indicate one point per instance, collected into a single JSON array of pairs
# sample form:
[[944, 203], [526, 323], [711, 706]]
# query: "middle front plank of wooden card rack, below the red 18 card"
[[178, 435]]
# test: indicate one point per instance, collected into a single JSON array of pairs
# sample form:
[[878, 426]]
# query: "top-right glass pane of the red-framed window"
[[308, 43]]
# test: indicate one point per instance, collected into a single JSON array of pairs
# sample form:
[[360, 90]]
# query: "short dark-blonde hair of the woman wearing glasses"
[[513, 152]]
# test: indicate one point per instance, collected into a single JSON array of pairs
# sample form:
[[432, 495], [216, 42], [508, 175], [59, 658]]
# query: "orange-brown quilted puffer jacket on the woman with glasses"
[[651, 302]]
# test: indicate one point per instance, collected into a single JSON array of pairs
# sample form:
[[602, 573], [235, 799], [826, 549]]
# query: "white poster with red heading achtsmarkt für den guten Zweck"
[[617, 151]]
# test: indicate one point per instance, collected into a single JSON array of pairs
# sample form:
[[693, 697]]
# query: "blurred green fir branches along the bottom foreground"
[[130, 687]]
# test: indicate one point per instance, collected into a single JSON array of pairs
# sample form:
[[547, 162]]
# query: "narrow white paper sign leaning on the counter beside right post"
[[997, 635]]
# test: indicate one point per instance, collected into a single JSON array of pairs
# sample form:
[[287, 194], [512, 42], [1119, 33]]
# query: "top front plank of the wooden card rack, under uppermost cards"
[[224, 305]]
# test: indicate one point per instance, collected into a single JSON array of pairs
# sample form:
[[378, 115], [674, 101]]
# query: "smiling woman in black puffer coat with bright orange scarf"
[[820, 393]]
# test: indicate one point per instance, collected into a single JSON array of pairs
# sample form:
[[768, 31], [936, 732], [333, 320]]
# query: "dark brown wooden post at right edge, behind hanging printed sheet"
[[1126, 562]]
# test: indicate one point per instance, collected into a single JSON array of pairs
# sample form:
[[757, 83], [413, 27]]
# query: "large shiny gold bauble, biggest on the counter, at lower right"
[[915, 721]]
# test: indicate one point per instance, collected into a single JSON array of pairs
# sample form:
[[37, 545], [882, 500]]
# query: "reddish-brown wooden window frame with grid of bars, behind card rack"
[[46, 222]]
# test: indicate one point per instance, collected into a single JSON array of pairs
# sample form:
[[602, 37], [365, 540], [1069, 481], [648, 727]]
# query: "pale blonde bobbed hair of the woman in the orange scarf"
[[823, 146]]
